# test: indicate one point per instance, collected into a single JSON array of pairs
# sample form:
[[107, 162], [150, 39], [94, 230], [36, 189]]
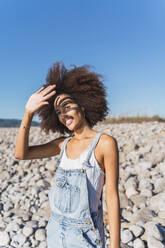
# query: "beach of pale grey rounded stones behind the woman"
[[24, 206]]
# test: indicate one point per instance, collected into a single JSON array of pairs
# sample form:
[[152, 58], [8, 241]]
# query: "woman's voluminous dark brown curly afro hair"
[[85, 87]]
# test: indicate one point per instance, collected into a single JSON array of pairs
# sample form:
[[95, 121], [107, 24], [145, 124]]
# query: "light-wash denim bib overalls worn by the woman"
[[72, 224]]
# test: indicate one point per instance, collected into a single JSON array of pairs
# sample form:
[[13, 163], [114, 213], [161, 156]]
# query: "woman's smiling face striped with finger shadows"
[[69, 112]]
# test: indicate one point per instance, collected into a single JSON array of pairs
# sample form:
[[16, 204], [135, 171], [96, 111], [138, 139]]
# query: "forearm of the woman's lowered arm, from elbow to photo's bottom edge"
[[113, 207]]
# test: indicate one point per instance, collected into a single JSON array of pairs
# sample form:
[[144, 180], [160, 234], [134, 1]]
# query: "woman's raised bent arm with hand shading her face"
[[22, 148]]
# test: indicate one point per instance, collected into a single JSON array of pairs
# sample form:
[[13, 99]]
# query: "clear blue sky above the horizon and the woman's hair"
[[123, 39]]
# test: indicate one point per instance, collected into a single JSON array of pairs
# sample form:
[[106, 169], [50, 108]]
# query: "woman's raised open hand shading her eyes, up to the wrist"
[[38, 99]]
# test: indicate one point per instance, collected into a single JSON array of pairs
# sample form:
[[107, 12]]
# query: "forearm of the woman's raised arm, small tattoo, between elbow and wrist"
[[22, 141]]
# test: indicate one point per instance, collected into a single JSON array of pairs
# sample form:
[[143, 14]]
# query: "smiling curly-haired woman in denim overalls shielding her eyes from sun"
[[73, 101]]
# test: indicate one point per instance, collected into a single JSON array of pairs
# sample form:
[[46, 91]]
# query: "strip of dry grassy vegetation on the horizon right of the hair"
[[134, 119]]
